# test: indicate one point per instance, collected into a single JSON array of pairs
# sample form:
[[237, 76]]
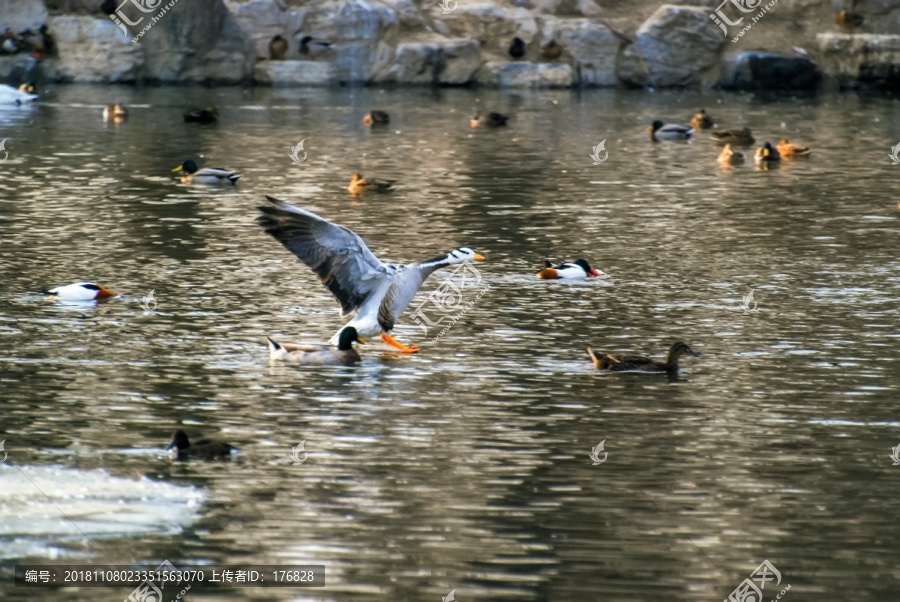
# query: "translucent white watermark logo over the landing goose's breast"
[[448, 298]]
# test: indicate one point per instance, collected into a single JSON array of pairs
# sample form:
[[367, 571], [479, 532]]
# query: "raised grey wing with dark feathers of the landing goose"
[[340, 258]]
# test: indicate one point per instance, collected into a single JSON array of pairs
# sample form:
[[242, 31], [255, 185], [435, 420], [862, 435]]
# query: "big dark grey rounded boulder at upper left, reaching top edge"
[[193, 41]]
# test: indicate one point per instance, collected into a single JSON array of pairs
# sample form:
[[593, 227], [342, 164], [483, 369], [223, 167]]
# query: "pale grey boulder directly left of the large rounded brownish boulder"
[[589, 47]]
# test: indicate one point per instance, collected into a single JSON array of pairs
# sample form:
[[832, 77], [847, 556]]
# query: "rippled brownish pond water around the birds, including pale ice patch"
[[467, 465]]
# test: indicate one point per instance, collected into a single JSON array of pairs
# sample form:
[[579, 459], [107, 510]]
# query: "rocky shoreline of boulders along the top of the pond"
[[782, 44]]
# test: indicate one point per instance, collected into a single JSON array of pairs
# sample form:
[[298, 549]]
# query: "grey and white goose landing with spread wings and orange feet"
[[378, 292]]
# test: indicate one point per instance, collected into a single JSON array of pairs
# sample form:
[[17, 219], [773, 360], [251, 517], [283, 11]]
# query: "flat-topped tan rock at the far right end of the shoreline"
[[861, 59]]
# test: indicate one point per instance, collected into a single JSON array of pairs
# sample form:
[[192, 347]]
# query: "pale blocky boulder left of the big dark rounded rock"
[[93, 50]]
